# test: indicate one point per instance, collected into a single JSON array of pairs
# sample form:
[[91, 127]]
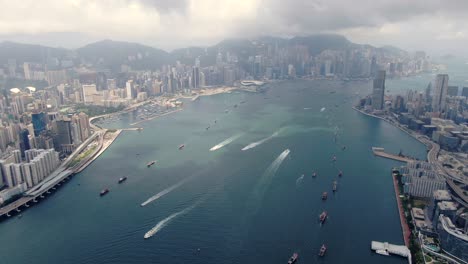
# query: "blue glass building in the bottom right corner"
[[453, 240]]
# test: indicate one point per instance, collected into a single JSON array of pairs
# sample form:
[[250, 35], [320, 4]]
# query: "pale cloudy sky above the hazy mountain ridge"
[[438, 26]]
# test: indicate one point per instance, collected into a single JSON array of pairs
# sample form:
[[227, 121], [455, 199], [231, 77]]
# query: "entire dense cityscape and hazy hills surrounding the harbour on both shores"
[[54, 99]]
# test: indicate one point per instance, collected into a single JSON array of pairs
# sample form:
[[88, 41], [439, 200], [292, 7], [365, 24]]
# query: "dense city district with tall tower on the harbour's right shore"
[[433, 194]]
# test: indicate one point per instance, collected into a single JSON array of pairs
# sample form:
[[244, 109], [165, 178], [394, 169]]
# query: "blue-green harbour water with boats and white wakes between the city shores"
[[248, 200]]
